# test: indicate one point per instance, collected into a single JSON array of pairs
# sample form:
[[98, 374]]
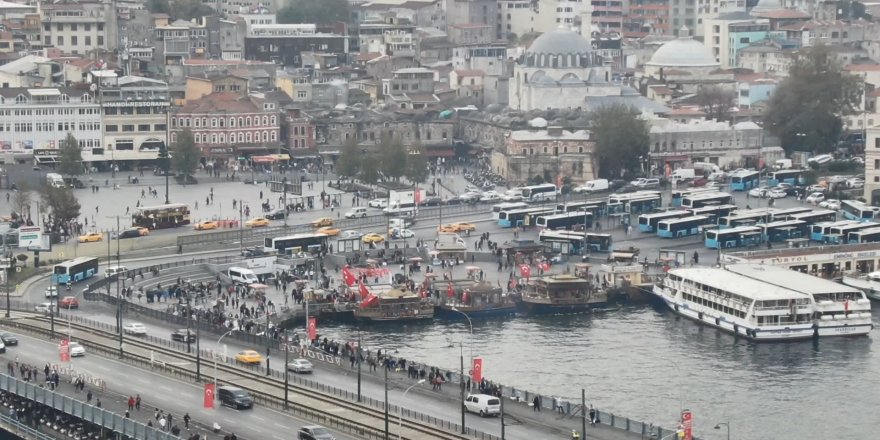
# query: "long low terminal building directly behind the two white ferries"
[[821, 261]]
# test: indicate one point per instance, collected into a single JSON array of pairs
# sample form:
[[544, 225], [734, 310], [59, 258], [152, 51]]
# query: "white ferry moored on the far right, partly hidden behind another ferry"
[[838, 310]]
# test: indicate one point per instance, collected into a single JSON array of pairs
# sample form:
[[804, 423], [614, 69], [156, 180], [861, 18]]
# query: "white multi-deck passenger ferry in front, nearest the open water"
[[737, 304]]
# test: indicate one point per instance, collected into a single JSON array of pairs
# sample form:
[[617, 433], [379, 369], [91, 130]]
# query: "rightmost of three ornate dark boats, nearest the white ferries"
[[560, 294]]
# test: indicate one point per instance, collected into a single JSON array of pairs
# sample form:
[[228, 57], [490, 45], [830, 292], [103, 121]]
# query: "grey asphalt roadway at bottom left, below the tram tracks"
[[159, 392]]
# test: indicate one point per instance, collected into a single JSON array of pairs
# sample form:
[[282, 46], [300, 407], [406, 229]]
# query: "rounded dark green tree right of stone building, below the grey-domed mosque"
[[621, 138]]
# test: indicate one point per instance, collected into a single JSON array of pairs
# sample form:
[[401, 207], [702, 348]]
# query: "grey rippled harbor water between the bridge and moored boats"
[[646, 364]]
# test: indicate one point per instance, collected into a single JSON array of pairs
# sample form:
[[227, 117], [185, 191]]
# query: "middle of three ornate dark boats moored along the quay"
[[474, 299]]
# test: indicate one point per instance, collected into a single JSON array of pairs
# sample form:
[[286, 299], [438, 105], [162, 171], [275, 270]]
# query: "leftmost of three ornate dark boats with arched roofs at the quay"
[[394, 305]]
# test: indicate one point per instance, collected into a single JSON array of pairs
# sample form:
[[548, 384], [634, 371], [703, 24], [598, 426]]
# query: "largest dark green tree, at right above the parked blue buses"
[[806, 110]]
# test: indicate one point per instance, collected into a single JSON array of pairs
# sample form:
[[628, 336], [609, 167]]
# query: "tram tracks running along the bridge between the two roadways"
[[330, 410]]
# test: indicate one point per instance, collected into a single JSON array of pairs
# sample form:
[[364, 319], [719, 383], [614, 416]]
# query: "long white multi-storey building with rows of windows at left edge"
[[32, 120]]
